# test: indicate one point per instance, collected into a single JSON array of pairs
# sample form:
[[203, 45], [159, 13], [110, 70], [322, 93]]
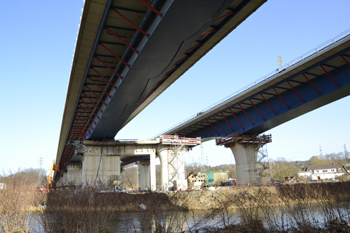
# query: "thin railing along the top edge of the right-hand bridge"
[[311, 53]]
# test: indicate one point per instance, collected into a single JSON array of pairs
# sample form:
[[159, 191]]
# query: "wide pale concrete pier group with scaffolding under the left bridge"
[[102, 161]]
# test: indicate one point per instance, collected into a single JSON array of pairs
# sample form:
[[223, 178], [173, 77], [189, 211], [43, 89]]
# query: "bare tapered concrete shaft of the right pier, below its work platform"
[[245, 157]]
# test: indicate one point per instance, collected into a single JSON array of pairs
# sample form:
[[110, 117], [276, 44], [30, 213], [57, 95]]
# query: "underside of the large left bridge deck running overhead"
[[129, 52]]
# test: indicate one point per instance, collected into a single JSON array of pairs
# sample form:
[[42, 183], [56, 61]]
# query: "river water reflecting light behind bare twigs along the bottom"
[[179, 221]]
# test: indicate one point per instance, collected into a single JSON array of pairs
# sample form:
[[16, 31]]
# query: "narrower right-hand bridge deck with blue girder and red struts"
[[325, 81]]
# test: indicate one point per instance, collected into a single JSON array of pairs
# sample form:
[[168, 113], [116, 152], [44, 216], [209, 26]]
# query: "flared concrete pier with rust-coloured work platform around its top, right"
[[245, 150]]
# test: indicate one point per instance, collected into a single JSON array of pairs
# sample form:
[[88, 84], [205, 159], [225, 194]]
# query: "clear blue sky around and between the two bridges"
[[37, 42]]
